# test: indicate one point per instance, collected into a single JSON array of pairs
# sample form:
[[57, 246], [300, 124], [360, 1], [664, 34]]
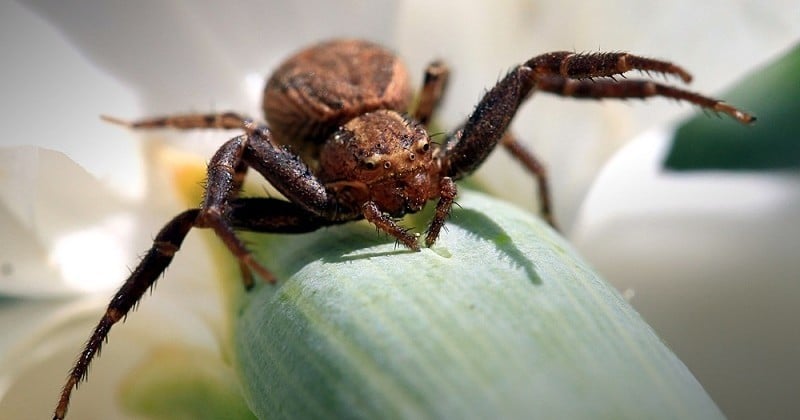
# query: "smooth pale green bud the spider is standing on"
[[501, 319]]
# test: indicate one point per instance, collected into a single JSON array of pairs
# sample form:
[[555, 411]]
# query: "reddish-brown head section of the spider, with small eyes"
[[383, 157]]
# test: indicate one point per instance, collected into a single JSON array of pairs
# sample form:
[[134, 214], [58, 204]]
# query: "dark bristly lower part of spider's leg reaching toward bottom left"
[[165, 245]]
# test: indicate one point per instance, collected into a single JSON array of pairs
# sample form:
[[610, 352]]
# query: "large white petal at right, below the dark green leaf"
[[712, 259]]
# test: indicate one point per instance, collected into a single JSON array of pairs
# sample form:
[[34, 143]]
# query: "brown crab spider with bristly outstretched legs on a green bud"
[[339, 146]]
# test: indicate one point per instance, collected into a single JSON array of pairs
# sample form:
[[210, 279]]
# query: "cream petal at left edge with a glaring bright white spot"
[[65, 230]]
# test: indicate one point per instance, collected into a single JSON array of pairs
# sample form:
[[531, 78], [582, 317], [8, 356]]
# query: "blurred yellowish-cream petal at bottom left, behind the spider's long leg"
[[33, 369]]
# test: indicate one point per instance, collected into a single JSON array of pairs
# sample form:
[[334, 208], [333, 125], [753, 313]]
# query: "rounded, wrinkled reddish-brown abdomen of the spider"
[[322, 87]]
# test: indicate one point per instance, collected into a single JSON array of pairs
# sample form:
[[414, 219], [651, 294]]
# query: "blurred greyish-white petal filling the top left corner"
[[53, 97]]
